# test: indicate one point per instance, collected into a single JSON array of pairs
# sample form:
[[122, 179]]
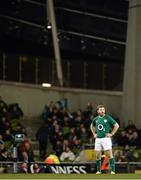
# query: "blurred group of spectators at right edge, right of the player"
[[129, 144]]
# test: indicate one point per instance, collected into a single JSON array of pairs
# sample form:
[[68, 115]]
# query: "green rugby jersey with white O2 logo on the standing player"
[[103, 125]]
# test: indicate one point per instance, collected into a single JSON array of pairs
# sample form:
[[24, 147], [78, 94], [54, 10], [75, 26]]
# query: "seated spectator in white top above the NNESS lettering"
[[67, 155]]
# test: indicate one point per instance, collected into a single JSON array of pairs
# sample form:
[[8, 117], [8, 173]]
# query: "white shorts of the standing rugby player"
[[103, 144]]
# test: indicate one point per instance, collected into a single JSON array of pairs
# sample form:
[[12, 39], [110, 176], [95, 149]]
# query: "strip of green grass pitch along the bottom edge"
[[69, 176]]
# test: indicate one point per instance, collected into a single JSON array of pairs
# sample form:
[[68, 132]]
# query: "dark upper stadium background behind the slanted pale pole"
[[92, 39]]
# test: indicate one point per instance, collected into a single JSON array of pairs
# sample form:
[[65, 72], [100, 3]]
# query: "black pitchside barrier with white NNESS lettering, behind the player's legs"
[[68, 168]]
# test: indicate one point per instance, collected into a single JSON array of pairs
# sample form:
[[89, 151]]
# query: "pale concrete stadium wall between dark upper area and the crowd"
[[32, 98]]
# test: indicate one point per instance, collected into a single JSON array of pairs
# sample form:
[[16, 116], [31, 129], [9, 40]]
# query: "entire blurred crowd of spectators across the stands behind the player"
[[67, 132]]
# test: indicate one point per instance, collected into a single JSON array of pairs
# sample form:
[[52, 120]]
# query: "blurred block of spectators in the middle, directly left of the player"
[[67, 132]]
